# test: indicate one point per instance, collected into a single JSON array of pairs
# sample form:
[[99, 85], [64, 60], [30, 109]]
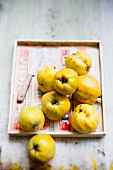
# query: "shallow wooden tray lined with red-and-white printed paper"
[[24, 52]]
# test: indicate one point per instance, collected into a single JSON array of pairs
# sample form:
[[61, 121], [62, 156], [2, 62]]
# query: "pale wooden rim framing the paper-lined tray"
[[58, 44]]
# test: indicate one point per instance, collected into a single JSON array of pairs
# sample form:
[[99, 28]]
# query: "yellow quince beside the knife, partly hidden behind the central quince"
[[45, 77]]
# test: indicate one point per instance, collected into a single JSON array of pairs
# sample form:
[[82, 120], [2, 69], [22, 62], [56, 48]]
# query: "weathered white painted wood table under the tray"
[[57, 20]]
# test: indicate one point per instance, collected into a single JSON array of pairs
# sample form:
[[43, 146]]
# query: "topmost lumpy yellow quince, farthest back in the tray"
[[80, 62]]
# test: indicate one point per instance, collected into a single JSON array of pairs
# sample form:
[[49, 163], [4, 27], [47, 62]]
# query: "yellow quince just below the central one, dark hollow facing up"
[[54, 105]]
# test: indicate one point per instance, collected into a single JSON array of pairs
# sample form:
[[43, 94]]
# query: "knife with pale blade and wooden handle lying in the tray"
[[37, 63]]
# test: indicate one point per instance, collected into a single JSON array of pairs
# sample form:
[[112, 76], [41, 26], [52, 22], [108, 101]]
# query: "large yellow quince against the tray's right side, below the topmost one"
[[88, 89]]
